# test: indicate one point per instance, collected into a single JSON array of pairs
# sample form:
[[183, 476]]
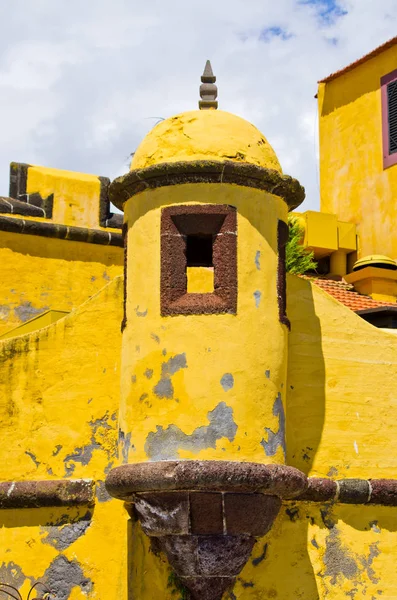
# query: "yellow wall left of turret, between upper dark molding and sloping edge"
[[38, 274]]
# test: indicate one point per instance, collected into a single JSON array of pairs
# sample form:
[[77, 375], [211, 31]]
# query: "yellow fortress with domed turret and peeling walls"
[[202, 425]]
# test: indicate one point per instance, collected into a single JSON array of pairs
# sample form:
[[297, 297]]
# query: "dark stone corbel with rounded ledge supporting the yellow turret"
[[205, 515]]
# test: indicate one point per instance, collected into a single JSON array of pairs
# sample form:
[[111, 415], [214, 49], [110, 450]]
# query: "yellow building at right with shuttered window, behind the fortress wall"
[[354, 230]]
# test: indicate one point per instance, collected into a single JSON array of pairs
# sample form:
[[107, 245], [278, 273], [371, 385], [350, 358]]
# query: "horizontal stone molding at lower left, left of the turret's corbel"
[[40, 494]]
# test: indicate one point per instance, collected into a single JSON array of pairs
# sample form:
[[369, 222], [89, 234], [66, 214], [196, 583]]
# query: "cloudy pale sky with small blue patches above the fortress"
[[82, 81]]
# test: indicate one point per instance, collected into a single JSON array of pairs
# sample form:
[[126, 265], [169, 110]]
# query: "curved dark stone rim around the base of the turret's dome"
[[206, 171]]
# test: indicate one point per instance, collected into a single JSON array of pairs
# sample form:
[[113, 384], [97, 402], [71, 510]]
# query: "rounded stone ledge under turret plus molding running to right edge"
[[128, 481]]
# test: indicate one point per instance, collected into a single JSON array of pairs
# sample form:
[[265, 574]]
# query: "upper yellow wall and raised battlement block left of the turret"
[[43, 272]]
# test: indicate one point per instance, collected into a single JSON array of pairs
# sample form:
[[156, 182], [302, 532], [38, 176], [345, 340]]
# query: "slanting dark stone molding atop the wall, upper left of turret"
[[62, 232]]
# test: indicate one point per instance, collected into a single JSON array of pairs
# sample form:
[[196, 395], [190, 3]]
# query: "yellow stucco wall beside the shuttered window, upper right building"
[[353, 183]]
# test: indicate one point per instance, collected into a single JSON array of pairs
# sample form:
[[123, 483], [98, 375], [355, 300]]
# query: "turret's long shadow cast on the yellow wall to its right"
[[305, 410]]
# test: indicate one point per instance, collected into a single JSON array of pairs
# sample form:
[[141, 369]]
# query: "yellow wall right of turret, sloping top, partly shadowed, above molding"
[[341, 401]]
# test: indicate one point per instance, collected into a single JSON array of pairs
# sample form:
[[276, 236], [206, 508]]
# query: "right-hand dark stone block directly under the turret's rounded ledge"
[[252, 514]]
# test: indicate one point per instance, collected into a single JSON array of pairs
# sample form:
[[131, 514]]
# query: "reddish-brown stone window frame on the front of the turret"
[[177, 222]]
